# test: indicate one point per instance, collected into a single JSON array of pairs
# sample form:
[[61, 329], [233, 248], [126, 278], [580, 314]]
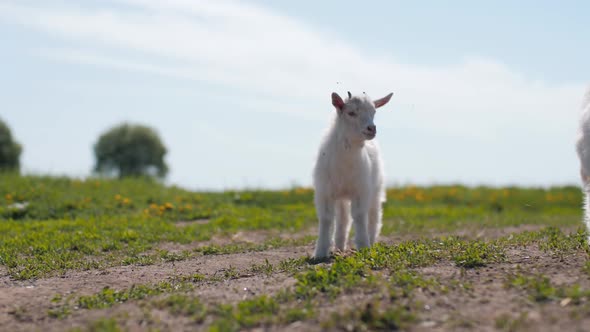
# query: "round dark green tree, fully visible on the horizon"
[[130, 150]]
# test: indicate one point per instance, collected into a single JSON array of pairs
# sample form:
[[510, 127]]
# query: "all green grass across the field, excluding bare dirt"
[[49, 226]]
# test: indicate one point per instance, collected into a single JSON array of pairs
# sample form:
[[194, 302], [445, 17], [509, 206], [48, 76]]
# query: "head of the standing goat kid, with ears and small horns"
[[357, 113]]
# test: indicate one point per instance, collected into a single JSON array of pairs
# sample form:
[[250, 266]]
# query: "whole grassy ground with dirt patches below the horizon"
[[101, 255]]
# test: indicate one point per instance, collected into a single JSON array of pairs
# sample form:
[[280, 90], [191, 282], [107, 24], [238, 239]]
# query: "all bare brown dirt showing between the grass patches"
[[24, 304]]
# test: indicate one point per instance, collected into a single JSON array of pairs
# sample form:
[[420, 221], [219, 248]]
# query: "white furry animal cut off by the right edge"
[[583, 148]]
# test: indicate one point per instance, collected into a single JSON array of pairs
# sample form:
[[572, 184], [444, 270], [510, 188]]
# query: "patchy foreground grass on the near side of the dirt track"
[[382, 269]]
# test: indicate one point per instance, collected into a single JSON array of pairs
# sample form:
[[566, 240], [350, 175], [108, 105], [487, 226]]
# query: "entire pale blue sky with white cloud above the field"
[[485, 92]]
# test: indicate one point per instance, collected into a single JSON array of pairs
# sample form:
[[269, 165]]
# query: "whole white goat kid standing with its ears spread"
[[348, 176]]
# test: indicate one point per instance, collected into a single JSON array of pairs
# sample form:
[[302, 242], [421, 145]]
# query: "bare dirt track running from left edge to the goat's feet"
[[32, 299]]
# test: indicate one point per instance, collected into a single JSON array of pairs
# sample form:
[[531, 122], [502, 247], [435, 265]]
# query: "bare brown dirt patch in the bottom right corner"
[[489, 299]]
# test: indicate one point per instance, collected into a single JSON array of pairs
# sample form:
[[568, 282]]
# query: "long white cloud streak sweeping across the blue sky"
[[254, 49]]
